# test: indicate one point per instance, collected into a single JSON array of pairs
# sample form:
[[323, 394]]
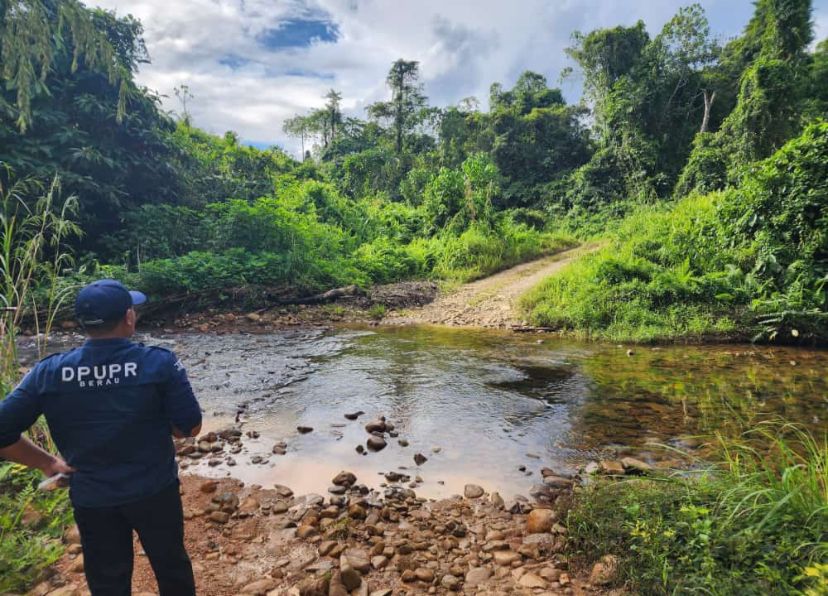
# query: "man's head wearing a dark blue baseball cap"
[[105, 308]]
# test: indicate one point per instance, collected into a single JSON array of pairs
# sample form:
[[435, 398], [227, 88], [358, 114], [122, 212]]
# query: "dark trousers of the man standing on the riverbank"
[[106, 537]]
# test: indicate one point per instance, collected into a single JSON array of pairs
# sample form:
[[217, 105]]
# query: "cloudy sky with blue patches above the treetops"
[[250, 64]]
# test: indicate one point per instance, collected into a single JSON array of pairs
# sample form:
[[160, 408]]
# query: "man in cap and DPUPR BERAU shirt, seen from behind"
[[112, 407]]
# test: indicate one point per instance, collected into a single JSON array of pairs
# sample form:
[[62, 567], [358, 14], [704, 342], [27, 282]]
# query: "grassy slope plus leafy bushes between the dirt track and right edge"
[[745, 261]]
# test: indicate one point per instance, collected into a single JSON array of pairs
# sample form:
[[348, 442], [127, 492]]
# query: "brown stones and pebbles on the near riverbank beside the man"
[[357, 541]]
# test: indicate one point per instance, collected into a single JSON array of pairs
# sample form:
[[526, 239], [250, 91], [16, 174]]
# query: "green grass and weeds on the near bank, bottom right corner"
[[757, 523]]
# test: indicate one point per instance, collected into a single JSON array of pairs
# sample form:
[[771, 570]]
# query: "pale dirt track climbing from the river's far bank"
[[492, 301]]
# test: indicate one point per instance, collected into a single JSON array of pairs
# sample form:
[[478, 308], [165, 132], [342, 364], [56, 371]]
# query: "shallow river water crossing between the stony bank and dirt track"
[[480, 404]]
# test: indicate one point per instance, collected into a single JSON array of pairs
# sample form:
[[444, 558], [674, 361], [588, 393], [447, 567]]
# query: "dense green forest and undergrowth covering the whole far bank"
[[415, 190]]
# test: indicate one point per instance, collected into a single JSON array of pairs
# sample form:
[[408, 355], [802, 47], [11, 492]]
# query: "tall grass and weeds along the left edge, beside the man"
[[33, 231]]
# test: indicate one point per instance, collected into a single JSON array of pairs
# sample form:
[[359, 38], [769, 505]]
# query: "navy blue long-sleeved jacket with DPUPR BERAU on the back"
[[110, 406]]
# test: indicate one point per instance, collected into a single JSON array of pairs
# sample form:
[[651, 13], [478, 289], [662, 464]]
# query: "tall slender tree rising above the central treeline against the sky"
[[407, 107]]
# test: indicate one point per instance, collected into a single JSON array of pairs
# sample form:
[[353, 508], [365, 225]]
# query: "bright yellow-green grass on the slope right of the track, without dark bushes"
[[650, 281]]
